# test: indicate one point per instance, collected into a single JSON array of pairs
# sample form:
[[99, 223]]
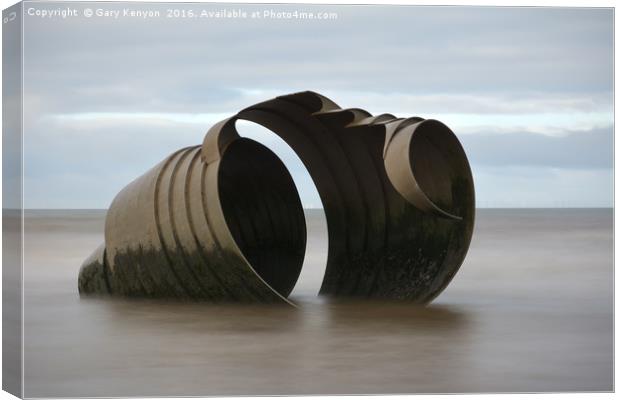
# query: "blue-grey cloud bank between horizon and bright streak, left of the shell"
[[84, 164]]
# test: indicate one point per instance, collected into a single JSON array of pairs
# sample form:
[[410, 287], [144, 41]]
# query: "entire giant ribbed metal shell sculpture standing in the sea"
[[223, 221]]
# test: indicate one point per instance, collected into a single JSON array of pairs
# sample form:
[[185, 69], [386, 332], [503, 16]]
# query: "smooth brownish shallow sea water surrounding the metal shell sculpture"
[[530, 310]]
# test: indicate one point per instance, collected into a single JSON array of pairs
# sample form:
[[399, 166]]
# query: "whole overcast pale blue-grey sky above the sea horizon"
[[528, 91]]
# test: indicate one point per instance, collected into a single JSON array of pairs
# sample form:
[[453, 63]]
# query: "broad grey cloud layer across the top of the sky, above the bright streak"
[[176, 64]]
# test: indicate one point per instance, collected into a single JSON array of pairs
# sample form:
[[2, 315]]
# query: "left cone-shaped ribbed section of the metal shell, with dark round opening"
[[169, 232]]
